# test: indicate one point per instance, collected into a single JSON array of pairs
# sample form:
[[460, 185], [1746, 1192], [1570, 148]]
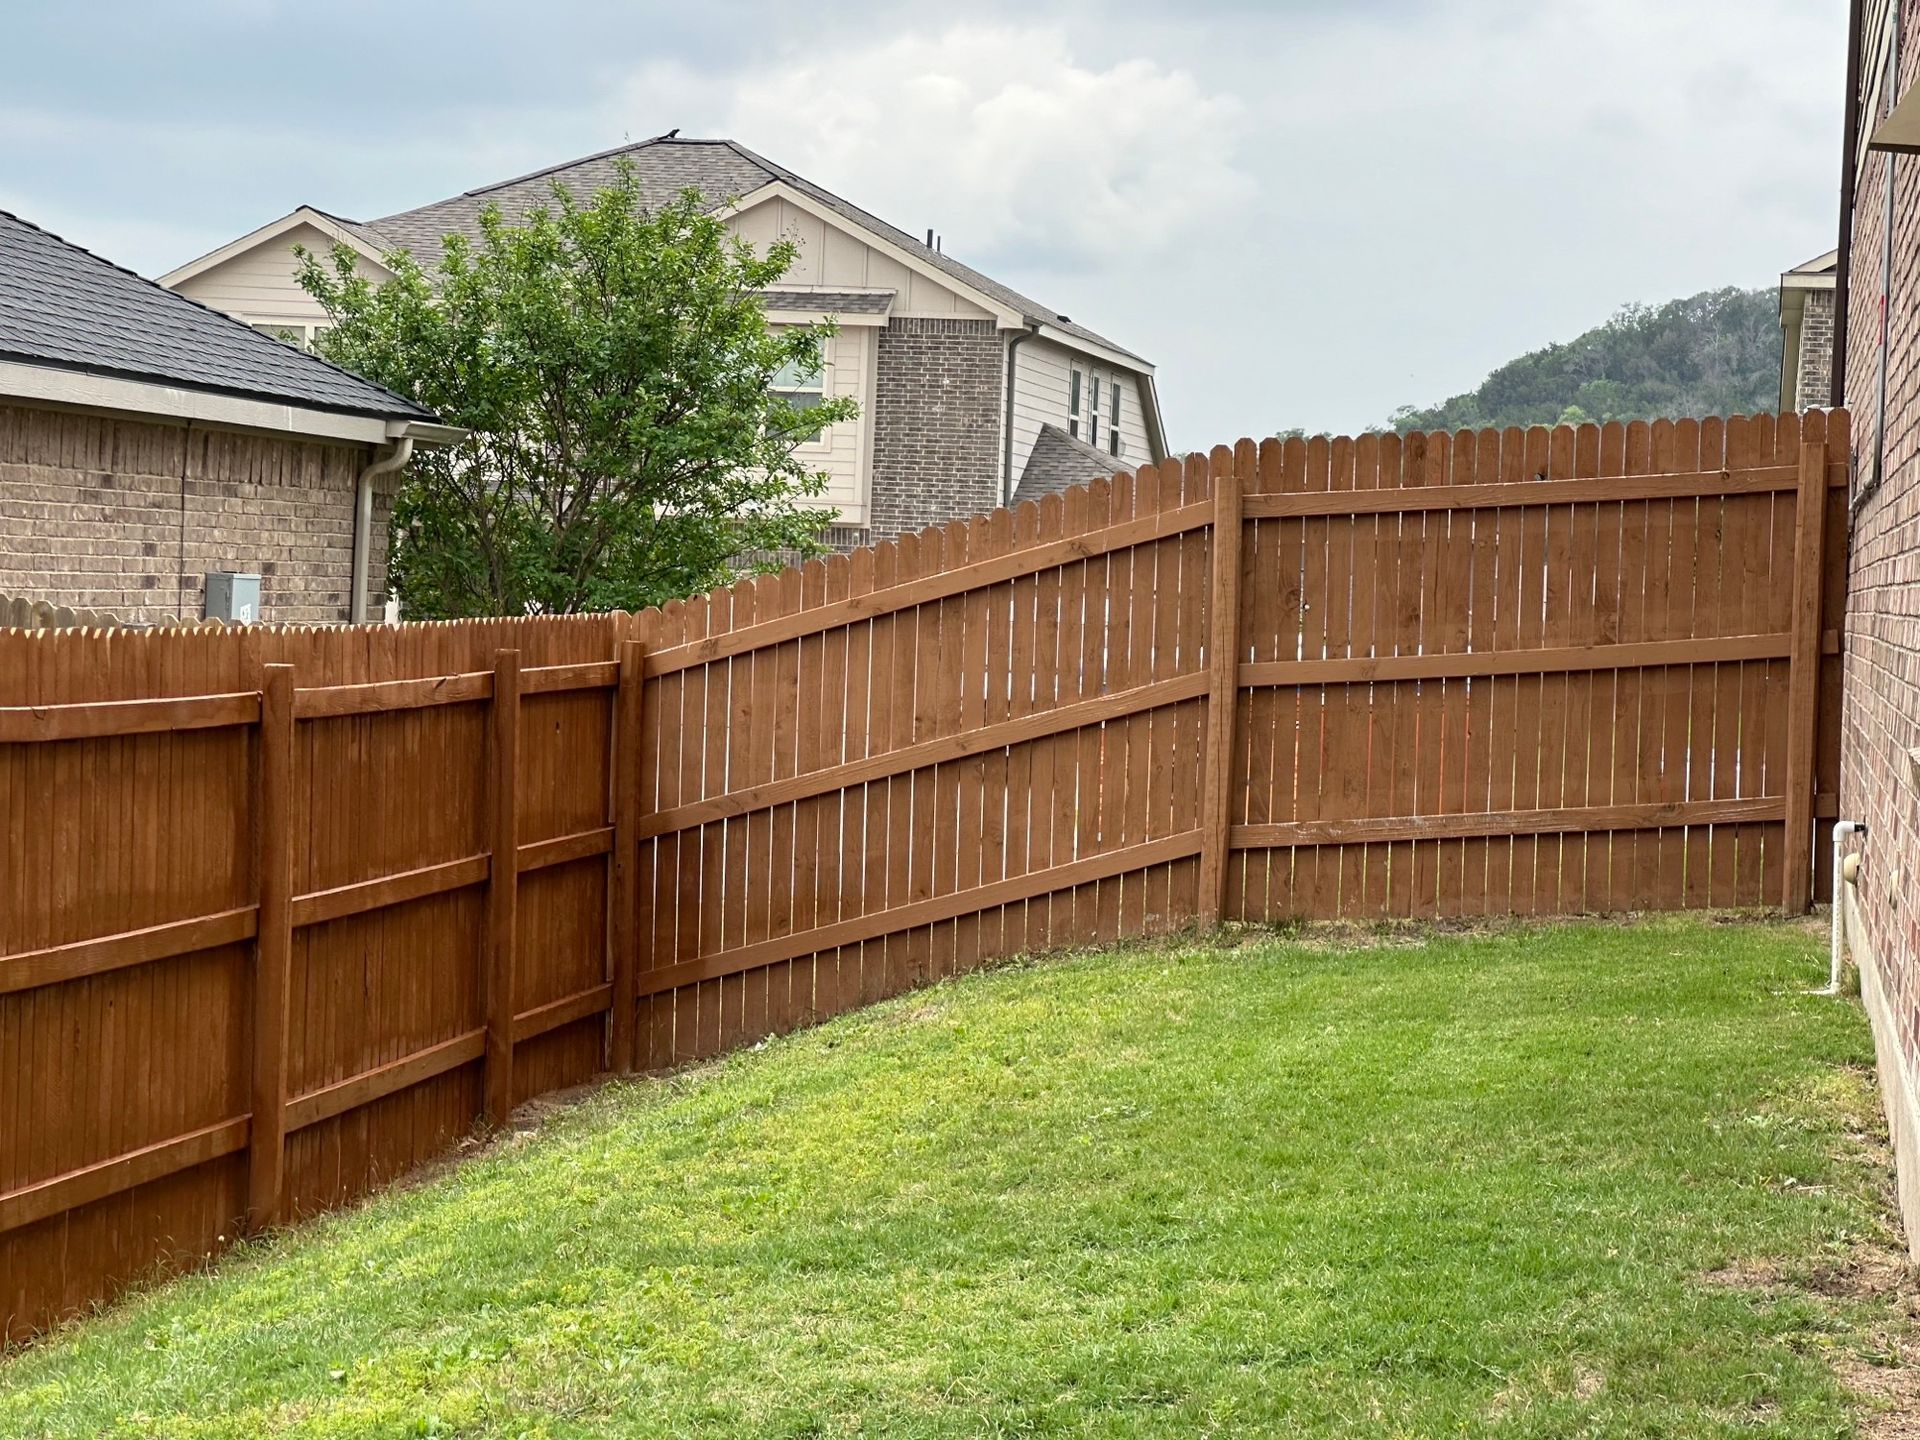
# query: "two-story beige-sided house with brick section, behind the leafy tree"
[[955, 373]]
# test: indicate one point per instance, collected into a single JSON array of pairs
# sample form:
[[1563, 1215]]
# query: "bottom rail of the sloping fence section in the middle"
[[930, 911]]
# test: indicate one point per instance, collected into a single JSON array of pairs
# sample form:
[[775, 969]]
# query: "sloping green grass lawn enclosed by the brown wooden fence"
[[1543, 1182]]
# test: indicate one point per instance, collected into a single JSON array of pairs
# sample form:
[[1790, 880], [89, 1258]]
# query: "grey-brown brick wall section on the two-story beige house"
[[938, 408]]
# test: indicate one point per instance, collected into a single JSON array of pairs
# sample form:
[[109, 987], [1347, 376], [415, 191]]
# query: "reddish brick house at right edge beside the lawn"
[[1879, 379]]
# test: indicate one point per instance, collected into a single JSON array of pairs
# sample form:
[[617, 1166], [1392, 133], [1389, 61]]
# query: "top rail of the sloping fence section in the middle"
[[928, 588]]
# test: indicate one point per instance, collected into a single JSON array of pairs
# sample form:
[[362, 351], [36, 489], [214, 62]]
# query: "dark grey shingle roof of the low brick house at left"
[[66, 308]]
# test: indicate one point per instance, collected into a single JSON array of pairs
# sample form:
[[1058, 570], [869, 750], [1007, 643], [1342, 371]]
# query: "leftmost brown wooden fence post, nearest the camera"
[[274, 944]]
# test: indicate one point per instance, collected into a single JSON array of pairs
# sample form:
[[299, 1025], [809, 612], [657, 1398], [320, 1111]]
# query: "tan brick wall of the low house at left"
[[130, 516]]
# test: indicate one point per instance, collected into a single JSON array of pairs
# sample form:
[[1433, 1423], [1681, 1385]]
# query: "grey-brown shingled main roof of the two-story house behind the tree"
[[723, 172]]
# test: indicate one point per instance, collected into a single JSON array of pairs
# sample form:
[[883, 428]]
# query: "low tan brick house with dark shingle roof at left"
[[147, 443]]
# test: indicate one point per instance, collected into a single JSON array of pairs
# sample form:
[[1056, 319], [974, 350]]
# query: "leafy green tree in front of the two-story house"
[[617, 377]]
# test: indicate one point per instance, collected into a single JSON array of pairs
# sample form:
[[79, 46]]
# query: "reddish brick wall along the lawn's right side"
[[1883, 638]]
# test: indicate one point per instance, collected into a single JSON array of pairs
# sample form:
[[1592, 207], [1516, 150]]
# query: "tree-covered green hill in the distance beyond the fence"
[[1712, 354]]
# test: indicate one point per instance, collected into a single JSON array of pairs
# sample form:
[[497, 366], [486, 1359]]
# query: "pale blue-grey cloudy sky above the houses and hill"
[[1305, 212]]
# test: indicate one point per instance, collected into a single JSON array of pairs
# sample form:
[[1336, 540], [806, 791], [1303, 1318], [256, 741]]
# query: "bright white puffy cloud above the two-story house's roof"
[[996, 135]]
